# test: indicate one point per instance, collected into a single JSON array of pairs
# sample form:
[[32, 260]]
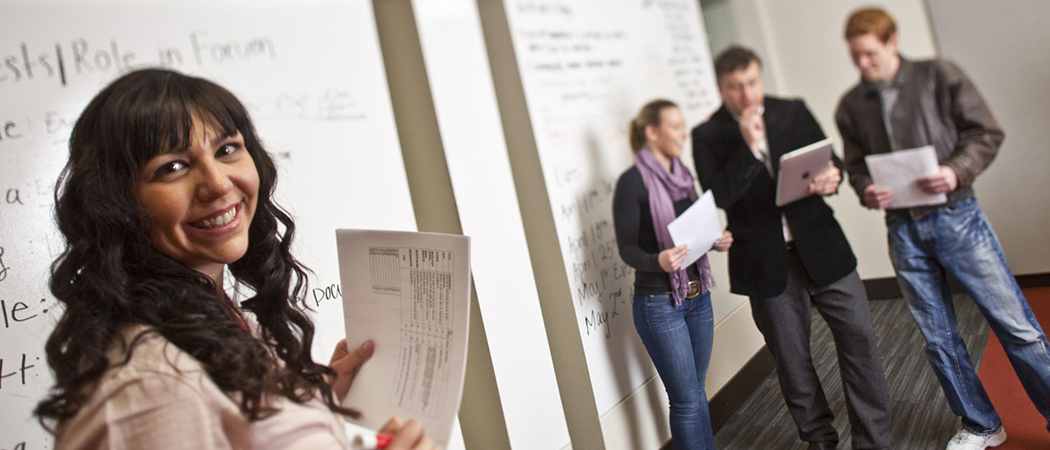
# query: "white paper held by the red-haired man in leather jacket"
[[900, 172]]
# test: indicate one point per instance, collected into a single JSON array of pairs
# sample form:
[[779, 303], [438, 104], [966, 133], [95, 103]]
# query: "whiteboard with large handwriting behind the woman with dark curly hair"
[[310, 74]]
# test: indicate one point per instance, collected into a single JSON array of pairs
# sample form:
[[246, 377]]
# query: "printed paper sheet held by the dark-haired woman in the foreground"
[[411, 294]]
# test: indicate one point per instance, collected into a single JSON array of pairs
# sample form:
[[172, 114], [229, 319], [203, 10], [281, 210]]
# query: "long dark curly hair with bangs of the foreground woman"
[[110, 276]]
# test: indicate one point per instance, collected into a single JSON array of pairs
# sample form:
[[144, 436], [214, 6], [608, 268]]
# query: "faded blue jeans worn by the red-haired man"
[[958, 241]]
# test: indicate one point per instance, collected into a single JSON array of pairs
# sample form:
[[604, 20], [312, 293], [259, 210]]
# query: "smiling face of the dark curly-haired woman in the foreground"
[[202, 200]]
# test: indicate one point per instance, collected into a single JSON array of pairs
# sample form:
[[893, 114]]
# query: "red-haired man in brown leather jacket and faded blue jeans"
[[902, 104]]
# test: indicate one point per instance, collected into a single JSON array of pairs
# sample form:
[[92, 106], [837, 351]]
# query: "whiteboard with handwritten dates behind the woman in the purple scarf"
[[586, 69]]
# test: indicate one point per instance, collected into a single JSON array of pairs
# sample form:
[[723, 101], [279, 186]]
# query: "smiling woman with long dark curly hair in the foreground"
[[167, 187]]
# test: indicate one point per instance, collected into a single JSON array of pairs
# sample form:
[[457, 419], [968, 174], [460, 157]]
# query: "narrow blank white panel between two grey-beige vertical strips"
[[479, 168]]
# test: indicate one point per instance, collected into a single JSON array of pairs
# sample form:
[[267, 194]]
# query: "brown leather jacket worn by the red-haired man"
[[938, 105]]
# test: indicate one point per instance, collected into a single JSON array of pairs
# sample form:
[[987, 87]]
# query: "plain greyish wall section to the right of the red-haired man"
[[1003, 48]]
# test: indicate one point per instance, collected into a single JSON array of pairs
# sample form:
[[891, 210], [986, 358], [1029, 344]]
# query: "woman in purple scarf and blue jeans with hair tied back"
[[673, 302]]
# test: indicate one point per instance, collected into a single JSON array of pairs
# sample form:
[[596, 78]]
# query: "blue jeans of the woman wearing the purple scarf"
[[679, 340]]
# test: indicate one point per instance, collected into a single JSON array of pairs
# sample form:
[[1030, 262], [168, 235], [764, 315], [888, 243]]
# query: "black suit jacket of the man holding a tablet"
[[744, 188]]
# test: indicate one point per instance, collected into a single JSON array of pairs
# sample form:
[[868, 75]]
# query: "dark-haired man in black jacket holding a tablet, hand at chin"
[[787, 259]]
